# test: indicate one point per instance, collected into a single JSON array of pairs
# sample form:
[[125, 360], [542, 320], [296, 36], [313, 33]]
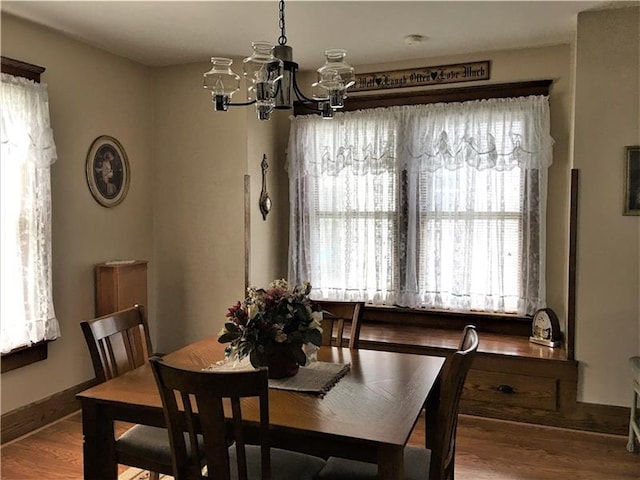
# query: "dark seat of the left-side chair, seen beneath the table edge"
[[148, 447]]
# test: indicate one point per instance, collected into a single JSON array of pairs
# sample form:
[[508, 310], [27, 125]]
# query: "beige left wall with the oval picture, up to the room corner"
[[91, 93]]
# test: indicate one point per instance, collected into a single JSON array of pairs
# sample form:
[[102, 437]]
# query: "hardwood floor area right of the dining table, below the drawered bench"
[[499, 450]]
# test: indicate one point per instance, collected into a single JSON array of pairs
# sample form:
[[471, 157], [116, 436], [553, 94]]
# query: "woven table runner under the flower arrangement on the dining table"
[[316, 377]]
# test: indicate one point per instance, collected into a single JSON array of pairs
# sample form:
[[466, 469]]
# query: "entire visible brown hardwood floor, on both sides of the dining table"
[[486, 450]]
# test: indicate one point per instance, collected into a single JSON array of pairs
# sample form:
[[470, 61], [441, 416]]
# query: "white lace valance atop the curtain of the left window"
[[26, 133]]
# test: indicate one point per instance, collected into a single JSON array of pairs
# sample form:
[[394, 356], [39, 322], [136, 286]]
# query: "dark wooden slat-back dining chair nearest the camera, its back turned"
[[194, 403]]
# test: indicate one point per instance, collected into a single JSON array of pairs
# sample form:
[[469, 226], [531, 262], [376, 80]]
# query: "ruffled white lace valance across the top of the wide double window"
[[497, 134]]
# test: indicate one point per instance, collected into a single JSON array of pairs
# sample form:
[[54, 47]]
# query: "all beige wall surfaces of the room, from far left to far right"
[[184, 211]]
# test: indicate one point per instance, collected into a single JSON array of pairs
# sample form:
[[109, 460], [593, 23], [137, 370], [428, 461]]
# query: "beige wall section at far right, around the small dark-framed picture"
[[607, 118]]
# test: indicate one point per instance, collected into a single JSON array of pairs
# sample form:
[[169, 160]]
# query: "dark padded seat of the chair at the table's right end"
[[416, 467]]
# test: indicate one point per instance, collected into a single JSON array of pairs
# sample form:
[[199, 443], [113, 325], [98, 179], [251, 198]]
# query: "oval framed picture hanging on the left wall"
[[107, 171]]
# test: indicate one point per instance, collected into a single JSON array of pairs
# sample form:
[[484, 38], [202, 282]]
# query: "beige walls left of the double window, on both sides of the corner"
[[184, 209]]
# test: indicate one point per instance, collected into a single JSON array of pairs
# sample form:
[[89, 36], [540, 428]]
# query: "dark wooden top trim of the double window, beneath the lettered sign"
[[441, 95]]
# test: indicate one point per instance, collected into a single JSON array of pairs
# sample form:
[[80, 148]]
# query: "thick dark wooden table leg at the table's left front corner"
[[99, 444]]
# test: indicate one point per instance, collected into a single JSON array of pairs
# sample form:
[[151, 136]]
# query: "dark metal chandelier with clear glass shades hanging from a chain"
[[270, 76]]
